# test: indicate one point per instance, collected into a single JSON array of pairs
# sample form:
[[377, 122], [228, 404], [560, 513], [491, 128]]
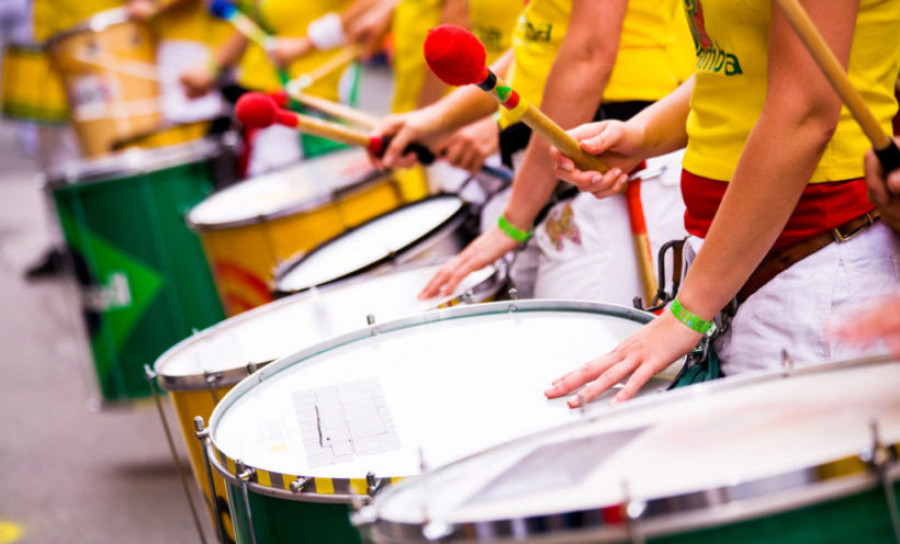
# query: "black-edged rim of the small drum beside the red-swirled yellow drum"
[[438, 232]]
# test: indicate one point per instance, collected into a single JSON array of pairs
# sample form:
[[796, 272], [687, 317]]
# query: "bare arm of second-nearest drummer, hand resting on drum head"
[[573, 91]]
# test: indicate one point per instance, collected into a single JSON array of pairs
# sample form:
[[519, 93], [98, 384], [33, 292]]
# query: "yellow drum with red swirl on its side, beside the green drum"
[[249, 228]]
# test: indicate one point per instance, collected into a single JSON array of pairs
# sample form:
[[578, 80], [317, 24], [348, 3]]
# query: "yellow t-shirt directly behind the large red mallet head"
[[492, 21]]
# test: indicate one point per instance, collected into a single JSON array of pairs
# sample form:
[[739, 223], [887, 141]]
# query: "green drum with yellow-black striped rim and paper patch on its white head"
[[328, 426]]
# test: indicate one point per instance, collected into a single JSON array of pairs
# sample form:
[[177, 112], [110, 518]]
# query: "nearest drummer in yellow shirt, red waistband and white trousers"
[[771, 176]]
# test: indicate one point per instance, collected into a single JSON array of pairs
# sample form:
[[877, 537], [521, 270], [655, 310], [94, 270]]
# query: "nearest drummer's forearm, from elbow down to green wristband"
[[778, 161]]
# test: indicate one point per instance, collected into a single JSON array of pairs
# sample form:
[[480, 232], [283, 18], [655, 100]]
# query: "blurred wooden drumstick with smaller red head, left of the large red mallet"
[[257, 110]]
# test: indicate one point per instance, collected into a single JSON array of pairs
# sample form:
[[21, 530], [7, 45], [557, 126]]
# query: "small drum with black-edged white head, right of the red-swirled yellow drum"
[[431, 228]]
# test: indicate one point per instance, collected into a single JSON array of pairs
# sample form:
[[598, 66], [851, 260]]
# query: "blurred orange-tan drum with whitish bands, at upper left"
[[108, 66]]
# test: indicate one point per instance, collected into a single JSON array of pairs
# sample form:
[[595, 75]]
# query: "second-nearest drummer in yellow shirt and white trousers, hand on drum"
[[564, 53]]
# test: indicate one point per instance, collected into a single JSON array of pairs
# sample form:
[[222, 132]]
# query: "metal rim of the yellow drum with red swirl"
[[370, 178]]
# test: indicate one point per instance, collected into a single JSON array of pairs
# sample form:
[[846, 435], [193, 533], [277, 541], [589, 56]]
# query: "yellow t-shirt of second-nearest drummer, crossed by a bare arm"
[[652, 58]]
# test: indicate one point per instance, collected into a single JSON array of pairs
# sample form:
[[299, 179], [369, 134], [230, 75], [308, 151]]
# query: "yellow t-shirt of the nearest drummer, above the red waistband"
[[731, 38]]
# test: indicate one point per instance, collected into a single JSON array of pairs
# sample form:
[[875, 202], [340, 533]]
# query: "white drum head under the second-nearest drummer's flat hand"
[[289, 325]]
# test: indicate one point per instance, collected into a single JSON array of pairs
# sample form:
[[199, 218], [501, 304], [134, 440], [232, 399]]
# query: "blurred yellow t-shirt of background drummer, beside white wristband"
[[290, 18]]
